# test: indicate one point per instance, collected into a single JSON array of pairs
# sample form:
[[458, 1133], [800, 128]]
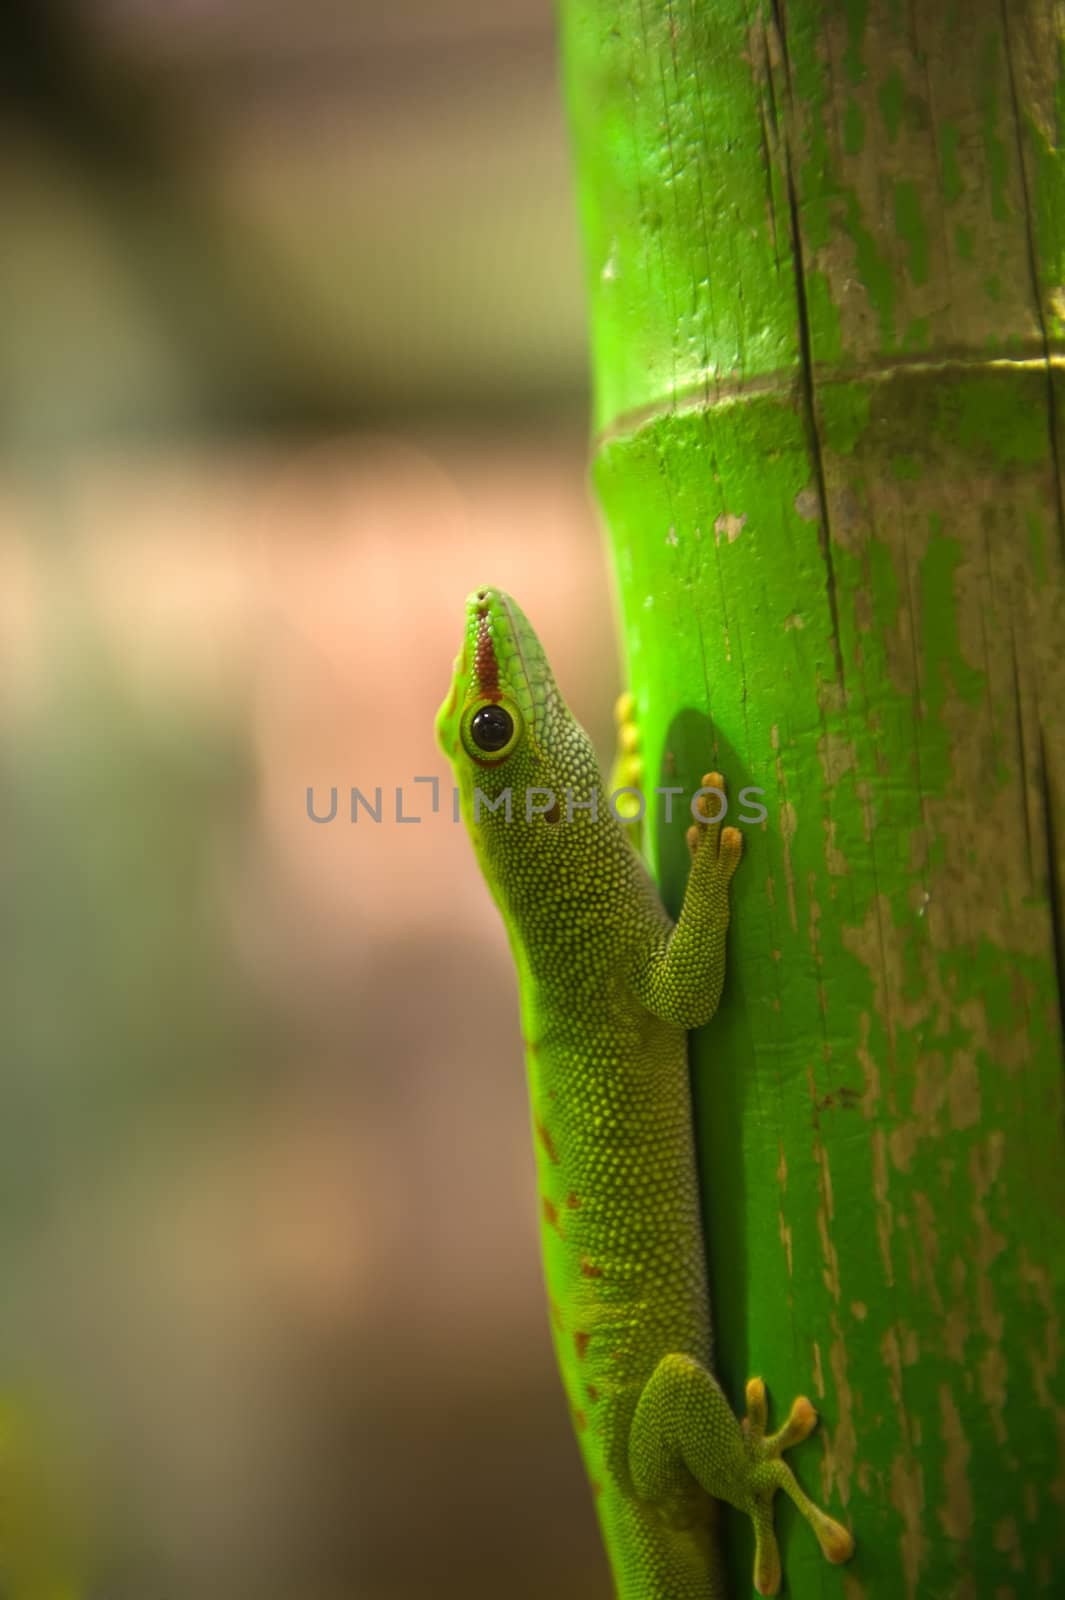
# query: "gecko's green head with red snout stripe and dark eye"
[[506, 729]]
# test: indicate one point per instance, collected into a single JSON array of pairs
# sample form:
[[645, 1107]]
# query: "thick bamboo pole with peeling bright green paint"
[[826, 262]]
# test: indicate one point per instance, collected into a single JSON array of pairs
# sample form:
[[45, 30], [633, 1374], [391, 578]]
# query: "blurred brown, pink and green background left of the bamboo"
[[293, 358]]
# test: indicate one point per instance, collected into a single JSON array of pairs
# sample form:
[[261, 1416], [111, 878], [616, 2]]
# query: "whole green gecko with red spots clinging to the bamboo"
[[610, 988]]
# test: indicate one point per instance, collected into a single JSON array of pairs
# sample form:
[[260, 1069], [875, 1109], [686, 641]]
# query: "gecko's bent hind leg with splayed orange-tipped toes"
[[685, 1428]]
